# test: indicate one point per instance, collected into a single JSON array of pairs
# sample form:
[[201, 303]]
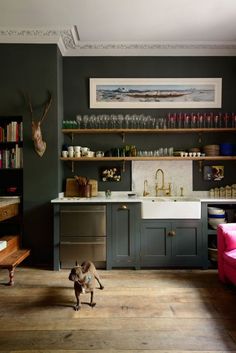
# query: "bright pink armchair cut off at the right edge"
[[226, 244]]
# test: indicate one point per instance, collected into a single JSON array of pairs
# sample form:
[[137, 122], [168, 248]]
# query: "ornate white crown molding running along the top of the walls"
[[69, 44]]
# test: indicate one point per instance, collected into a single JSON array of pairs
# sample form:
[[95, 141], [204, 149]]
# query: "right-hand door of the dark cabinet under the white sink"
[[186, 243]]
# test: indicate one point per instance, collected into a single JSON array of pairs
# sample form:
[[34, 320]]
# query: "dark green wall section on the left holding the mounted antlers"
[[35, 69]]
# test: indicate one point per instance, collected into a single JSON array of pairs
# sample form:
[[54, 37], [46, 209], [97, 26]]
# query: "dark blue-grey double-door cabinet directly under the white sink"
[[174, 243]]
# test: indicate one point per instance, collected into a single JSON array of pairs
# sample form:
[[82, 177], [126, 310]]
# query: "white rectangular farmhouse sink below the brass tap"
[[171, 208]]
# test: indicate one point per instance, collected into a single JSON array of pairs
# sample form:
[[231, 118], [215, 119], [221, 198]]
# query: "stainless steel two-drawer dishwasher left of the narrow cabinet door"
[[82, 235]]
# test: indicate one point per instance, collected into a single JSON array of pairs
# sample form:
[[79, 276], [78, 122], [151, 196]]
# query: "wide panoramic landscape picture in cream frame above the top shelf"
[[155, 93]]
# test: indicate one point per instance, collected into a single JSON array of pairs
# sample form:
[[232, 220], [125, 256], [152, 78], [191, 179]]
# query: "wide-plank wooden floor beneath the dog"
[[138, 311]]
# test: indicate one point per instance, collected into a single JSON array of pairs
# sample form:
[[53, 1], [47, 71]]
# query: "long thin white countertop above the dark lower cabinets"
[[123, 197]]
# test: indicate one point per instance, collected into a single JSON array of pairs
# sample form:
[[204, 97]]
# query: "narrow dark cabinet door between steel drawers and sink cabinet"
[[125, 234]]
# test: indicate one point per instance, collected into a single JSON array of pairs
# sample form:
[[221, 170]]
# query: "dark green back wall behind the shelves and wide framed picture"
[[78, 70]]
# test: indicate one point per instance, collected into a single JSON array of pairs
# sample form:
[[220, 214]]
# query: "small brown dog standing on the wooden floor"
[[84, 278]]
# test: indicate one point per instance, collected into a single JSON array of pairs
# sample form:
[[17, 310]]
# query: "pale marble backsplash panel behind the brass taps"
[[178, 173]]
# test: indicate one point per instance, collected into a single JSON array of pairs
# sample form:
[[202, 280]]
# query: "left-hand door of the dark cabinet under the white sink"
[[155, 244]]
